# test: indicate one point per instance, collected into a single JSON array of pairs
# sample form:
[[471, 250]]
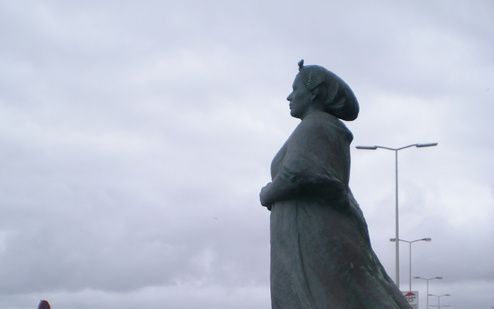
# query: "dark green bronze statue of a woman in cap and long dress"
[[321, 256]]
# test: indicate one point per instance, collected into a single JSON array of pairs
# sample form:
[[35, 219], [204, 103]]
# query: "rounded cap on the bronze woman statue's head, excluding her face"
[[328, 90]]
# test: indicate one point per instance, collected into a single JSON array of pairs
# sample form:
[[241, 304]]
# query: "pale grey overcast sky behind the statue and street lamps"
[[136, 135]]
